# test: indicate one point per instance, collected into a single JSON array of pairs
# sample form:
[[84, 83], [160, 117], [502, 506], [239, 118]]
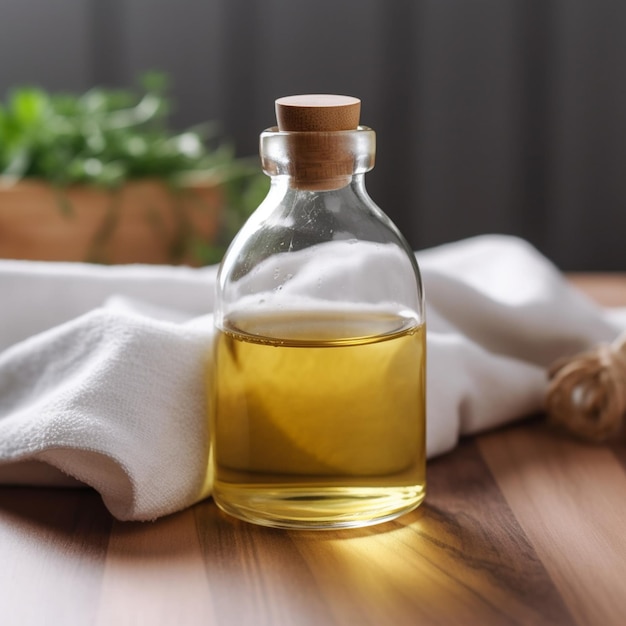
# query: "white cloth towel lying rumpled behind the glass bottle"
[[102, 369]]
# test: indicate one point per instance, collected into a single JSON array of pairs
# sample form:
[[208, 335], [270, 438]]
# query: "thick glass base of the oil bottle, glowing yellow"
[[317, 509]]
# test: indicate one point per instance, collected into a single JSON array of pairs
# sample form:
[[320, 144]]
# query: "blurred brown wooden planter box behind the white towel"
[[143, 222]]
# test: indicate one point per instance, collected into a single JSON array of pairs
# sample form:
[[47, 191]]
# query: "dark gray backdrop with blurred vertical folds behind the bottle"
[[492, 115]]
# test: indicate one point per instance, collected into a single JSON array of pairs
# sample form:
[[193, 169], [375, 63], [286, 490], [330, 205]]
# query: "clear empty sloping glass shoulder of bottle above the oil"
[[332, 247]]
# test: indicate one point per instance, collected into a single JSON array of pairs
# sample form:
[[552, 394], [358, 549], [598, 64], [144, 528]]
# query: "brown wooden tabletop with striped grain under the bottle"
[[520, 526]]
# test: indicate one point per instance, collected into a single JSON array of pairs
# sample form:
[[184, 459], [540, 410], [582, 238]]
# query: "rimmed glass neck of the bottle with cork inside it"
[[318, 161]]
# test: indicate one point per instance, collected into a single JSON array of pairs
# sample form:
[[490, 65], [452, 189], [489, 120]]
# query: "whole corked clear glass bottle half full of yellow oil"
[[317, 408]]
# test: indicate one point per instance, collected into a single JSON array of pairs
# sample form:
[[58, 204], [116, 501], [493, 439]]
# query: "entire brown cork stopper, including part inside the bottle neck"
[[321, 154]]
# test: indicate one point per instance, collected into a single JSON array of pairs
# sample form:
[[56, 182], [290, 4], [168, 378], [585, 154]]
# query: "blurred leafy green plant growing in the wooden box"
[[106, 137]]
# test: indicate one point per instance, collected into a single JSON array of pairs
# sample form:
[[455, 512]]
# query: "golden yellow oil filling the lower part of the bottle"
[[318, 420]]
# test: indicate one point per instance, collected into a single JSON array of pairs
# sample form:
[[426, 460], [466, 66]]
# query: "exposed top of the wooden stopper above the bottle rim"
[[317, 113]]
